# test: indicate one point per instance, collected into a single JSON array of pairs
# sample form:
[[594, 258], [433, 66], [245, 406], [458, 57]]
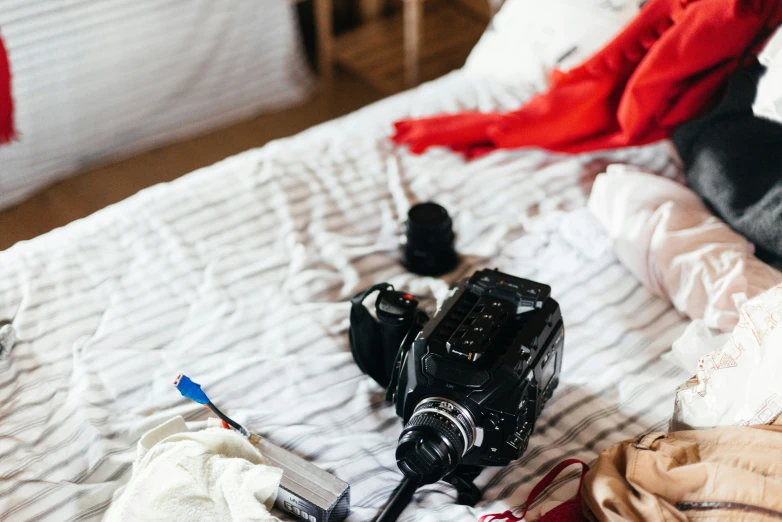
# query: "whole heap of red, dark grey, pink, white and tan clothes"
[[706, 74]]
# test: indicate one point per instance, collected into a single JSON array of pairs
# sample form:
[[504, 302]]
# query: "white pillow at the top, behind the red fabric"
[[527, 38]]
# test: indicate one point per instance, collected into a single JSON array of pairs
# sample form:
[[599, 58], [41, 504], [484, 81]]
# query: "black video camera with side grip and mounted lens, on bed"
[[470, 383]]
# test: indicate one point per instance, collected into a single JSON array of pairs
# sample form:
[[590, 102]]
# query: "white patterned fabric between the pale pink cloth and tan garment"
[[738, 384]]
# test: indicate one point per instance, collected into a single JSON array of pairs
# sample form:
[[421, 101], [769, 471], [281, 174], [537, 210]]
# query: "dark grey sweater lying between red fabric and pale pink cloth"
[[733, 159]]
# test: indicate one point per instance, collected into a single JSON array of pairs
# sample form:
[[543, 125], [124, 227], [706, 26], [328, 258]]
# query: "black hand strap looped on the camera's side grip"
[[364, 336]]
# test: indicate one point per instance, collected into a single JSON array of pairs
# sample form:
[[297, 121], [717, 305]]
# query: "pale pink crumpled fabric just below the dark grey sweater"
[[666, 237]]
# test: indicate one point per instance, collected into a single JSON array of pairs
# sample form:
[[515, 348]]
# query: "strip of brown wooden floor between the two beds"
[[87, 192]]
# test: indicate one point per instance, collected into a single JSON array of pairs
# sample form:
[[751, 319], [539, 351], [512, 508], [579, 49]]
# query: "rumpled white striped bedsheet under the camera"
[[238, 276]]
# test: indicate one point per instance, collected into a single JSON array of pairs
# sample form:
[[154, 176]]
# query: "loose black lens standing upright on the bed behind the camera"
[[428, 243]]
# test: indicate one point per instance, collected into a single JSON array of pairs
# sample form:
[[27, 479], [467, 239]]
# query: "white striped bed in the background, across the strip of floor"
[[95, 81]]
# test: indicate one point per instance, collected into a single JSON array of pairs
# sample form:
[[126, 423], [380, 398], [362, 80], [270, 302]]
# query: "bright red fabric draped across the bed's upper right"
[[663, 69]]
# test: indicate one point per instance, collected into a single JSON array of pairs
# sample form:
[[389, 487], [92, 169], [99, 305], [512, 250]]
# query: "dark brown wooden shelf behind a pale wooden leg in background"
[[375, 51]]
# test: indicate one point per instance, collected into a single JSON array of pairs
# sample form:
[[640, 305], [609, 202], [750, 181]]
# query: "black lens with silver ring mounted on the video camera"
[[439, 433]]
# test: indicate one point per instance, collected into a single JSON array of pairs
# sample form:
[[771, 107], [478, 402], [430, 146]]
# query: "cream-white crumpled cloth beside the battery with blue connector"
[[214, 474]]
